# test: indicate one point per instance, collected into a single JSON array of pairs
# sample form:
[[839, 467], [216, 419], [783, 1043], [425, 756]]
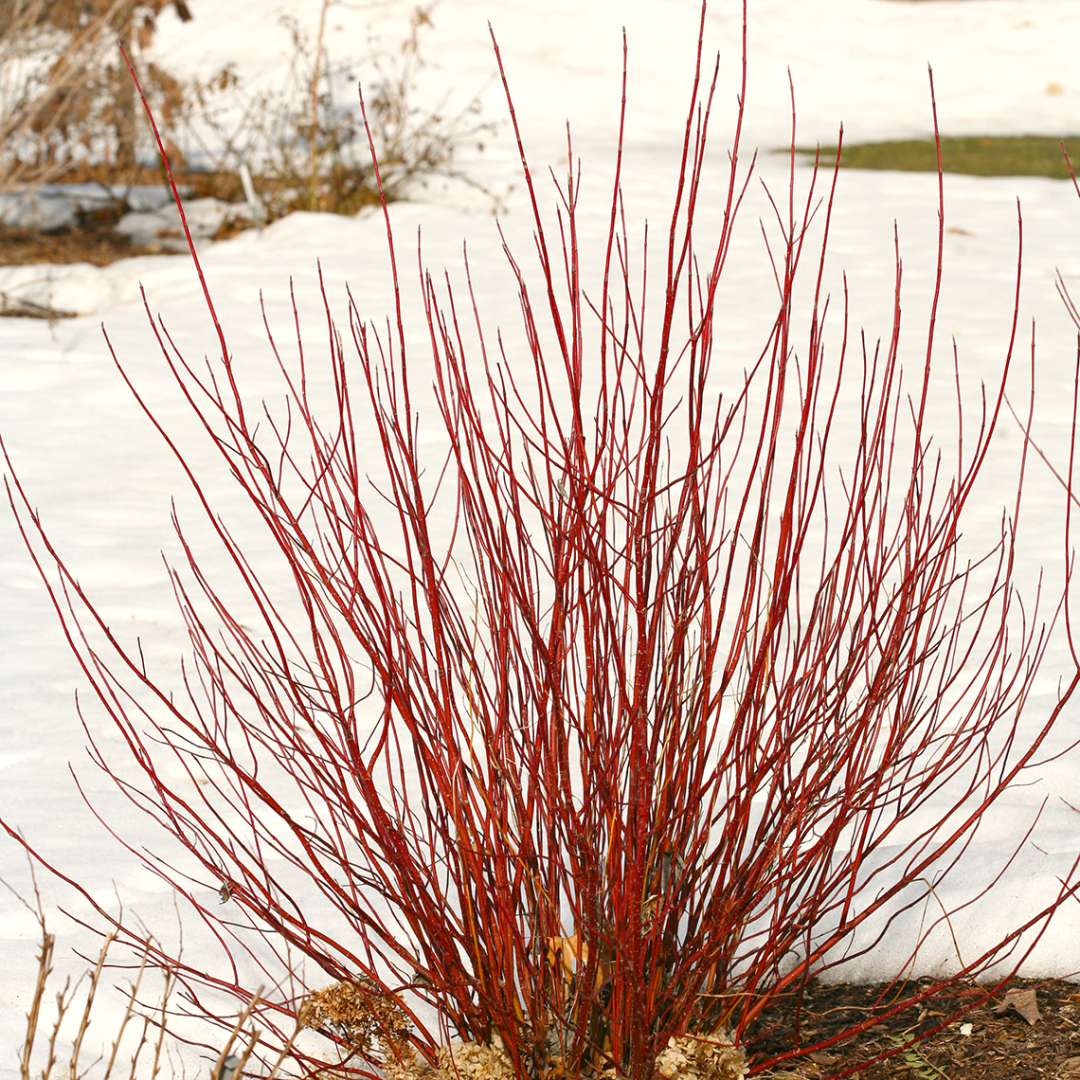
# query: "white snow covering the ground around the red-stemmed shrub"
[[104, 482]]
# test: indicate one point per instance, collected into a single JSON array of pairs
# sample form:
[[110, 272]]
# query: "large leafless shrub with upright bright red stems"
[[619, 715]]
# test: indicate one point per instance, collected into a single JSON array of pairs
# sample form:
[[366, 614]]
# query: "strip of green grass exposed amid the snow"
[[971, 155]]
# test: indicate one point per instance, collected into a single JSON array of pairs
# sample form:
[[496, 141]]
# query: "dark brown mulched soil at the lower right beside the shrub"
[[997, 1047]]
